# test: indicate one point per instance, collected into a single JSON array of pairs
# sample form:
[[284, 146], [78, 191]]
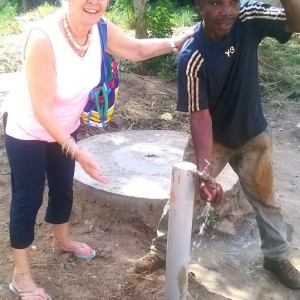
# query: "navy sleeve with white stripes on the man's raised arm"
[[269, 21]]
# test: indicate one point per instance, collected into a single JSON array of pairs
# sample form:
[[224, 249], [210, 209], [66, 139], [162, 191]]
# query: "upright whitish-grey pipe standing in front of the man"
[[179, 230]]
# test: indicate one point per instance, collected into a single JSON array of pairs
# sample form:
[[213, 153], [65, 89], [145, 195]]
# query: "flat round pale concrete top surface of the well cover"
[[137, 163]]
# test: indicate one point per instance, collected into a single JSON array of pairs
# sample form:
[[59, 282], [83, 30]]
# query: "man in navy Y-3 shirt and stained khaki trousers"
[[218, 84]]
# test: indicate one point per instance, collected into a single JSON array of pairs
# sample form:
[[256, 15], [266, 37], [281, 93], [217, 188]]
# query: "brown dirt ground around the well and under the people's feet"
[[230, 259]]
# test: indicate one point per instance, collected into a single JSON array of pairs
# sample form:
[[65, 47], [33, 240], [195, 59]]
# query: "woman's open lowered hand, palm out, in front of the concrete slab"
[[90, 166]]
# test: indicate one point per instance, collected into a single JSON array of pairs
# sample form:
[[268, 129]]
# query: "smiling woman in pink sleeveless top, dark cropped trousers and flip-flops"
[[61, 66]]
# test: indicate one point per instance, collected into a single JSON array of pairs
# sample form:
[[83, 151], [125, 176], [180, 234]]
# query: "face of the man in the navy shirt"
[[218, 16]]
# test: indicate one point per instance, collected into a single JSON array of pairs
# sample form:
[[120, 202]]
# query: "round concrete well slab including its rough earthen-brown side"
[[138, 165]]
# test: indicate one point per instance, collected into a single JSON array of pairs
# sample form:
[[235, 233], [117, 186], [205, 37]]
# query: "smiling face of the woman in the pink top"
[[87, 12]]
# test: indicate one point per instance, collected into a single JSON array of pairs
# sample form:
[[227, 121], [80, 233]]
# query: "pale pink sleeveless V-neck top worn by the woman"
[[75, 77]]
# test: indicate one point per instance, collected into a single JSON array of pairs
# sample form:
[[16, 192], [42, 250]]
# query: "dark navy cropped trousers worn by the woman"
[[29, 162]]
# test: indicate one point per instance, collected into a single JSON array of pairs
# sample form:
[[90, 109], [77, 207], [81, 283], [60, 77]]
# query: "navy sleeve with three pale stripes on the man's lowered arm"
[[192, 94]]
